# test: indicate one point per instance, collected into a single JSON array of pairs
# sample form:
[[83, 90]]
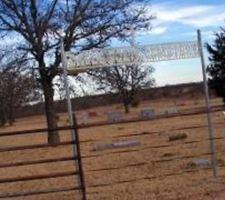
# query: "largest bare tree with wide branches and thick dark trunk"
[[86, 24]]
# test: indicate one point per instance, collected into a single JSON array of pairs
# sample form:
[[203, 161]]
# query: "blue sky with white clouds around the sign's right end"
[[178, 20]]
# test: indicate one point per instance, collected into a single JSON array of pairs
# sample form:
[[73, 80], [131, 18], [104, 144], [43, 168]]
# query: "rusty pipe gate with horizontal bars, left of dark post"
[[29, 175]]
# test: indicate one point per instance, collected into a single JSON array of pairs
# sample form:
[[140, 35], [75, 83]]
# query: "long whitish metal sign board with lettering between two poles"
[[98, 58]]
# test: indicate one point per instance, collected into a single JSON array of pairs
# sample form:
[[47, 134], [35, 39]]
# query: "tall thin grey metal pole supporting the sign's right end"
[[208, 106]]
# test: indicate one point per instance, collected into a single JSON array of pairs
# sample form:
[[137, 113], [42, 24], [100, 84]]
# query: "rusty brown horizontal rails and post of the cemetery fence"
[[80, 173]]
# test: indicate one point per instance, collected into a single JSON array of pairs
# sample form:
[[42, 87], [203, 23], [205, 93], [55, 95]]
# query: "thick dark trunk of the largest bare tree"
[[53, 135]]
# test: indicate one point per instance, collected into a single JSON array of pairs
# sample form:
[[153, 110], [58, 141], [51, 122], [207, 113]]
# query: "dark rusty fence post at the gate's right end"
[[80, 165]]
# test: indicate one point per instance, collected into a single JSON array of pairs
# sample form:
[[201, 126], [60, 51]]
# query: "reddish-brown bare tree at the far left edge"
[[17, 86]]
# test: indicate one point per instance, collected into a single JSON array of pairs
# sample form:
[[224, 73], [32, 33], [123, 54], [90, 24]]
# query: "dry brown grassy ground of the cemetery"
[[156, 169]]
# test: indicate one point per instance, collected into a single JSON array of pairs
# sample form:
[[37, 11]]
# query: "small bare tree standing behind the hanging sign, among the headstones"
[[126, 81]]
